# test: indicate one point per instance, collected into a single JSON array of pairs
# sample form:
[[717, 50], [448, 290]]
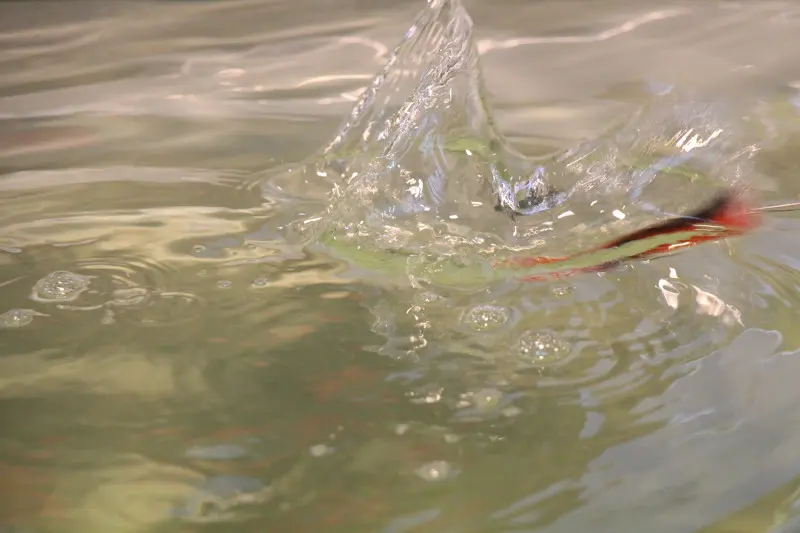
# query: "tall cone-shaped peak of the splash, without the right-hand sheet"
[[418, 164]]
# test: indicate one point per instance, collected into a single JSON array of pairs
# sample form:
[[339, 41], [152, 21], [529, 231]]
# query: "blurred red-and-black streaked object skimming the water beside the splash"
[[726, 215]]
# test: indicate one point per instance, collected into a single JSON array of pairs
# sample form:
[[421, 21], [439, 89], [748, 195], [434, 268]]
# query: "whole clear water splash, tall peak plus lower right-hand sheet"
[[418, 171]]
